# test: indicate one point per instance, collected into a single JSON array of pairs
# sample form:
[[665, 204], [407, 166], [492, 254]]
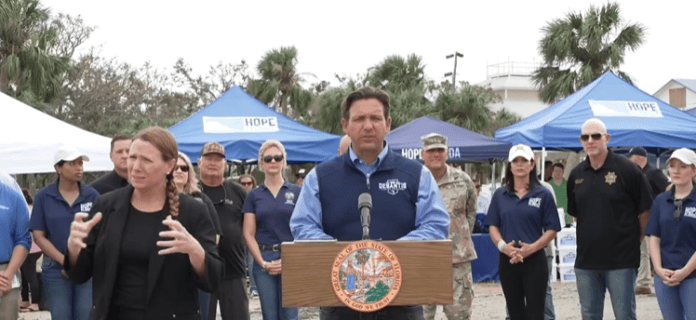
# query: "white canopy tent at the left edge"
[[30, 138]]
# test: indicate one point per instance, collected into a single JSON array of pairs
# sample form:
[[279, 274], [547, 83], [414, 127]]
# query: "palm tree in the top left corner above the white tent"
[[27, 71]]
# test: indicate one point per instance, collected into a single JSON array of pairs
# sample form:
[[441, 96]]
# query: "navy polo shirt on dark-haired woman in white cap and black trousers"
[[523, 219]]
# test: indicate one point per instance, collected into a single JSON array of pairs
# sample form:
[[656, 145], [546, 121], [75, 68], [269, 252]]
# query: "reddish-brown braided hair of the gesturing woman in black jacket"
[[164, 141]]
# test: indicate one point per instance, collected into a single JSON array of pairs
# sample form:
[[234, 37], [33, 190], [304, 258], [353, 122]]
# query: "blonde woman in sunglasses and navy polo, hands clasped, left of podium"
[[267, 210]]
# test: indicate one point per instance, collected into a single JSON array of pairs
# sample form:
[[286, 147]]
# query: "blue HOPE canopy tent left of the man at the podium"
[[241, 123]]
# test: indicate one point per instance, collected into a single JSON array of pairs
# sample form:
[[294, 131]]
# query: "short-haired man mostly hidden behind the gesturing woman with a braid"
[[120, 145]]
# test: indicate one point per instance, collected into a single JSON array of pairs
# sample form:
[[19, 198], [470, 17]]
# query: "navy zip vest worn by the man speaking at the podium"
[[394, 191]]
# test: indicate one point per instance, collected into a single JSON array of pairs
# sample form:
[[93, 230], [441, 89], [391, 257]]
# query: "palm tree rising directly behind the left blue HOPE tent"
[[280, 82]]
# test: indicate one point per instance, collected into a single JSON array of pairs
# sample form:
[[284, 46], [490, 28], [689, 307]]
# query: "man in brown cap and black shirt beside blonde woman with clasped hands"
[[228, 198]]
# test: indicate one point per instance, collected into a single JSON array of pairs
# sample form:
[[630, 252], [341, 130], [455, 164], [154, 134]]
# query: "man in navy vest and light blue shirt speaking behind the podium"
[[406, 201]]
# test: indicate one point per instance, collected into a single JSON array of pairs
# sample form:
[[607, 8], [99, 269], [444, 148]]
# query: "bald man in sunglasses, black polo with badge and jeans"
[[610, 197]]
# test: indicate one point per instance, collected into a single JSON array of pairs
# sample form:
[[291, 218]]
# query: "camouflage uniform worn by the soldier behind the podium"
[[459, 193]]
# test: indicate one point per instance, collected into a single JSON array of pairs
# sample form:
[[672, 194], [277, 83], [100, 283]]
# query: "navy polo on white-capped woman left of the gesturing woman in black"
[[51, 213]]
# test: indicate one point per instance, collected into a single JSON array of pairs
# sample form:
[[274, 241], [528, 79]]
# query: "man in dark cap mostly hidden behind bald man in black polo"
[[658, 184]]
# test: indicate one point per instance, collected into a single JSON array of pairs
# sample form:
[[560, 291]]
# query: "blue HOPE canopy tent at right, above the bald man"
[[632, 117]]
